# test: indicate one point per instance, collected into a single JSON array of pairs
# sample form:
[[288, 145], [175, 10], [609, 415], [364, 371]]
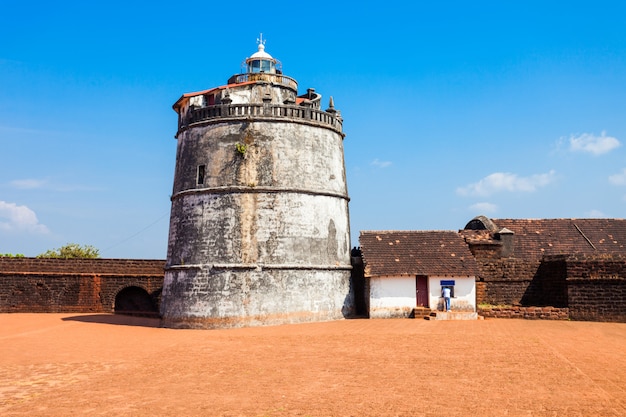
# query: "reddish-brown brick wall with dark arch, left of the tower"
[[75, 285]]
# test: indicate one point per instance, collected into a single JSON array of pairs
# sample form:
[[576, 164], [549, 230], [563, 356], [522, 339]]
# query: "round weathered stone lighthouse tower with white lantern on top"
[[259, 230]]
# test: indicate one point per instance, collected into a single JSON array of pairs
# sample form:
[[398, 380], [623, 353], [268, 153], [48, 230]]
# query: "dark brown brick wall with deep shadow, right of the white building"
[[578, 287]]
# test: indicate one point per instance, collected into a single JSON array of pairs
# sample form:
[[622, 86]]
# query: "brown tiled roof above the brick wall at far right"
[[535, 238]]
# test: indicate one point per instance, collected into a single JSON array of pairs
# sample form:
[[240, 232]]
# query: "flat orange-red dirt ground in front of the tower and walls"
[[97, 365]]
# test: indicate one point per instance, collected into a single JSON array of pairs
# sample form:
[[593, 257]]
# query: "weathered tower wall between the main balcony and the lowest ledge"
[[284, 198]]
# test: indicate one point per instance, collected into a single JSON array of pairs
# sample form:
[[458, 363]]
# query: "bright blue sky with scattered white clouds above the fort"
[[451, 109]]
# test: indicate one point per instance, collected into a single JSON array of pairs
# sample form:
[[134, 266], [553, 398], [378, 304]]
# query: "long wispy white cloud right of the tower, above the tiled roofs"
[[505, 181]]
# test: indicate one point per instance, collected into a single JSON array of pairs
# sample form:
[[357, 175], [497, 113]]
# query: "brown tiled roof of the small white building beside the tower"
[[432, 253]]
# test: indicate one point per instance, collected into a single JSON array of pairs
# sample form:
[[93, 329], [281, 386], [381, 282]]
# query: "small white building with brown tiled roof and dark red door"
[[405, 270]]
